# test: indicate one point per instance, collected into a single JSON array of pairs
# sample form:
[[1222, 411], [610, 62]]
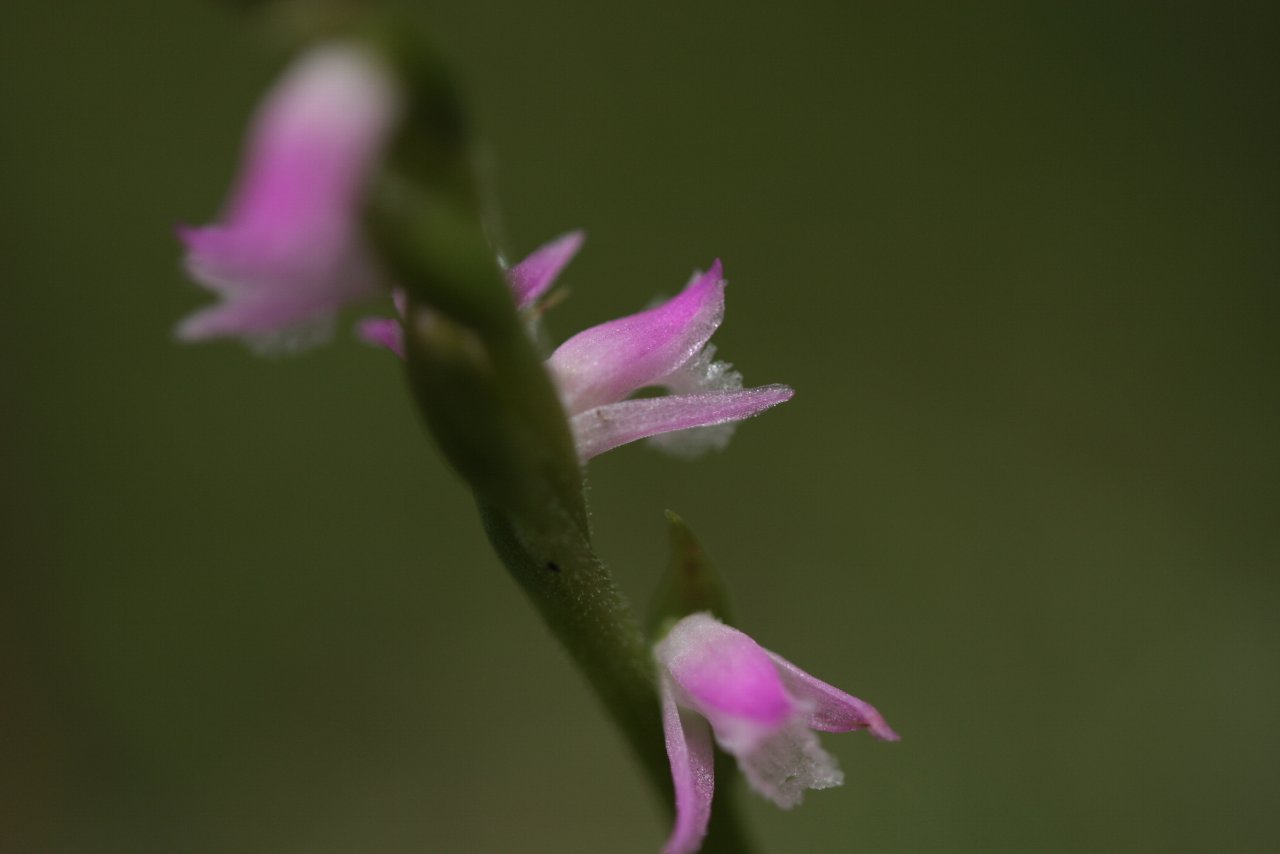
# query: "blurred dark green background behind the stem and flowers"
[[1020, 262]]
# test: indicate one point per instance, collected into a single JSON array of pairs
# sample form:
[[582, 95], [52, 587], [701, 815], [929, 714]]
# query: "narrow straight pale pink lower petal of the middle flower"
[[609, 427]]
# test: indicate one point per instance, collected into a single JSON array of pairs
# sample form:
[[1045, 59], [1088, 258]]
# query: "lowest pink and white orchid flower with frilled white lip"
[[762, 710]]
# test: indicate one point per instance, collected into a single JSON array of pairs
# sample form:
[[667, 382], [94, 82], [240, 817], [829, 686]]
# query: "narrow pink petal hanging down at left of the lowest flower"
[[693, 771]]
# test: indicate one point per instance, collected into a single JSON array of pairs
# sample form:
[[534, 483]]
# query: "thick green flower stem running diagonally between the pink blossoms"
[[484, 394]]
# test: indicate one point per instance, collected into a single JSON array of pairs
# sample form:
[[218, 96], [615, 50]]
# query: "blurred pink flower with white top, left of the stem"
[[290, 253]]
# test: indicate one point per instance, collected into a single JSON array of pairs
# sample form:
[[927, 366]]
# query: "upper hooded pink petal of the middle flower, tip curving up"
[[607, 363]]
